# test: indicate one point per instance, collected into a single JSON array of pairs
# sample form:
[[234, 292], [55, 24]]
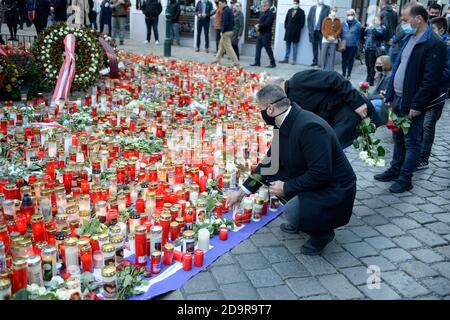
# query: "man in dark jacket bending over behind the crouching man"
[[333, 98]]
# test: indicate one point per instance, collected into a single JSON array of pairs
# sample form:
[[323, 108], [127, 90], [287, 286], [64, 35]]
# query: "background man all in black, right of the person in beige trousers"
[[264, 27]]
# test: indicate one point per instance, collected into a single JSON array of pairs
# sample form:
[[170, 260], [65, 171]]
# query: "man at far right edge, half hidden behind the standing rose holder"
[[432, 115]]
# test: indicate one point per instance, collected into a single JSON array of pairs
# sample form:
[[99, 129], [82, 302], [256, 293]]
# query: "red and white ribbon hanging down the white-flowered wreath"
[[67, 71]]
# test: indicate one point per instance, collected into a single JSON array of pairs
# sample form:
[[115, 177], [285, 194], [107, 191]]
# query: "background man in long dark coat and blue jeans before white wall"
[[293, 25]]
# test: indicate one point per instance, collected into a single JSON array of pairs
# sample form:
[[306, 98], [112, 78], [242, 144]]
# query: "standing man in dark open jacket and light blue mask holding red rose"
[[413, 86]]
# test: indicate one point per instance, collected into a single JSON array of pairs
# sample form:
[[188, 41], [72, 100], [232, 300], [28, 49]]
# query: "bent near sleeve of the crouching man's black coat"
[[315, 144]]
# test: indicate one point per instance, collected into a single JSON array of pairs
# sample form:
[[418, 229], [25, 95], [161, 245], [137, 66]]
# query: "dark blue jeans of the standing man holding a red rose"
[[407, 149]]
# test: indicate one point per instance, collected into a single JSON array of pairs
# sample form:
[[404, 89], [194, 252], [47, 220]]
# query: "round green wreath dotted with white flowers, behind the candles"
[[48, 51]]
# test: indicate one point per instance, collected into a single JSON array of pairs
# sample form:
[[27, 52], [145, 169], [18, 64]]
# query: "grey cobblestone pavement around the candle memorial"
[[407, 236]]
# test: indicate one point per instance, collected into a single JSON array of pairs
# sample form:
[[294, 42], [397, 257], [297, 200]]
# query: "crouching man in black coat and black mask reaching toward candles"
[[308, 169]]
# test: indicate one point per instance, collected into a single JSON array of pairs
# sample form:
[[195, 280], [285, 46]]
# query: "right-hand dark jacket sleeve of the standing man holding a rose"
[[434, 64]]
